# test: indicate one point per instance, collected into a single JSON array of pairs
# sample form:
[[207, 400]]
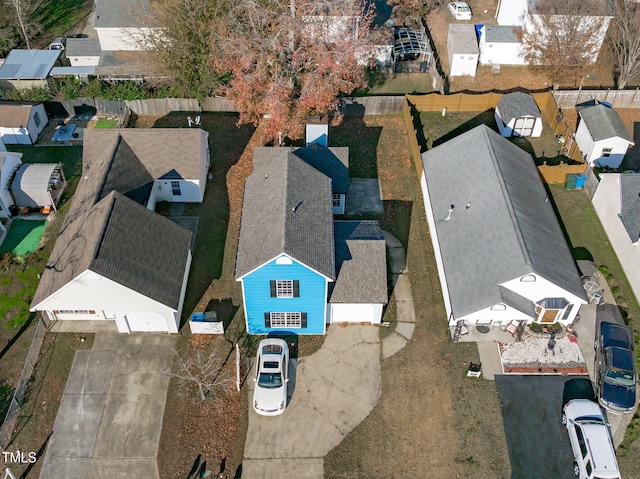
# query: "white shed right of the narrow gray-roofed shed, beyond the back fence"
[[500, 45]]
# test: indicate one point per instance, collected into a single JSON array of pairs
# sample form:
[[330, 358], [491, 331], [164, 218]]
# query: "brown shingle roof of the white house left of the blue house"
[[108, 233]]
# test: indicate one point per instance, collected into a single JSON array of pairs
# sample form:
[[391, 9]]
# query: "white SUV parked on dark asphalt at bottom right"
[[590, 437]]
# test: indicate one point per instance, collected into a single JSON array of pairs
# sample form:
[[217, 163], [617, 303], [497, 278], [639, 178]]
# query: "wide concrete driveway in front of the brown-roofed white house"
[[110, 417]]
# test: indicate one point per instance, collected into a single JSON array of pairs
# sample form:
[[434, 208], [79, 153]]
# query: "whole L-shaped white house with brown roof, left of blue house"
[[115, 259]]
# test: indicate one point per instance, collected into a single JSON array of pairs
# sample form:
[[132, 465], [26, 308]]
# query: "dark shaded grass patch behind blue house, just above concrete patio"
[[362, 140]]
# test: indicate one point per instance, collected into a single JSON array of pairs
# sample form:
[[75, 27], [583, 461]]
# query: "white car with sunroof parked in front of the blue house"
[[272, 376]]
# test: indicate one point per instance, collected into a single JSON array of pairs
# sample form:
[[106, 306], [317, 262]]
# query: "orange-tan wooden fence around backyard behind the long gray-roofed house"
[[415, 104]]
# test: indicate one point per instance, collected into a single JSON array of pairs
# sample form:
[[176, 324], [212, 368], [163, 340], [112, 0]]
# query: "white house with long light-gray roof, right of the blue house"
[[500, 252]]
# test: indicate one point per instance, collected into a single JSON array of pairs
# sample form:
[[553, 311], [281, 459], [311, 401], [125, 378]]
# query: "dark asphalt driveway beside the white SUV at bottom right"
[[532, 413]]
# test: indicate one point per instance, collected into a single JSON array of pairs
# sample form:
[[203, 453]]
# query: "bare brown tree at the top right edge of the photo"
[[624, 40]]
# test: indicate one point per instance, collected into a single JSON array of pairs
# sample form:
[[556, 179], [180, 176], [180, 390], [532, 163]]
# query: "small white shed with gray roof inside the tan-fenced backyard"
[[517, 114]]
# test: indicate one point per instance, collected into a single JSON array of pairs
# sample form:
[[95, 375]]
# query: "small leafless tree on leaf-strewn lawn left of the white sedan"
[[202, 374]]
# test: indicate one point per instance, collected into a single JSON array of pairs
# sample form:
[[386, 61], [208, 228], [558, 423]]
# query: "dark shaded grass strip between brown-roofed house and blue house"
[[227, 142]]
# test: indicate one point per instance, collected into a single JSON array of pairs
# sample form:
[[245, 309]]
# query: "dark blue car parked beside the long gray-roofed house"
[[615, 368]]
